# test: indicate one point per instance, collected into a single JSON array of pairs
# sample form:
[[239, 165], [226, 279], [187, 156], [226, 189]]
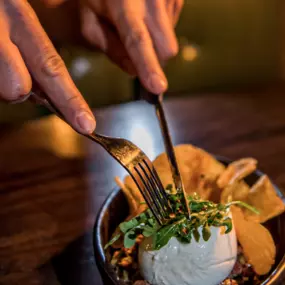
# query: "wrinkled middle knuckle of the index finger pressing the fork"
[[52, 65]]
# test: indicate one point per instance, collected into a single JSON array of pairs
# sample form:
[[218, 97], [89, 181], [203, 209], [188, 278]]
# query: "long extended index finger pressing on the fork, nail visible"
[[47, 67]]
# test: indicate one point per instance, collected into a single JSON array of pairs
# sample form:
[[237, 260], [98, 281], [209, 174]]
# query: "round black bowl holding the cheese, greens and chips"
[[116, 209]]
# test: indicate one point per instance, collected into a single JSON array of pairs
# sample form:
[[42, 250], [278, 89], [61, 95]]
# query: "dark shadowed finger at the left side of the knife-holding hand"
[[100, 34]]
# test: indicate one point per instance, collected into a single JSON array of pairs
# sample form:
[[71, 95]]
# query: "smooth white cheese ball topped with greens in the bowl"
[[203, 263]]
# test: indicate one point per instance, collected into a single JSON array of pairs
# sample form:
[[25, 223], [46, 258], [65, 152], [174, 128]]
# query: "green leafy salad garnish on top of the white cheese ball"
[[204, 214]]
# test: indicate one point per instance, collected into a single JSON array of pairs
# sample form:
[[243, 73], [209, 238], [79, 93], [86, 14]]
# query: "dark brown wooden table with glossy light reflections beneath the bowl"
[[52, 181]]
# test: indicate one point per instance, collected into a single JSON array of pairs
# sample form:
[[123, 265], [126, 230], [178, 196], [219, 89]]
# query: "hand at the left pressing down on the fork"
[[26, 50]]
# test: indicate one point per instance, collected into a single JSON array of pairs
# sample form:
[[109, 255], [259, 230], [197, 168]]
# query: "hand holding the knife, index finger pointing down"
[[135, 34]]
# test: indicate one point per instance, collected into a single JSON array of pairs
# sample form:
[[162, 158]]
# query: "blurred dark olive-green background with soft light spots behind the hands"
[[225, 46]]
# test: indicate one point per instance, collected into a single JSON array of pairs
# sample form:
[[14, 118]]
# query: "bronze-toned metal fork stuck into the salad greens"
[[132, 158]]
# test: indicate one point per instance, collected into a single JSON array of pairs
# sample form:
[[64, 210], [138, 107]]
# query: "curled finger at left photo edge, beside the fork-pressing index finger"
[[15, 81]]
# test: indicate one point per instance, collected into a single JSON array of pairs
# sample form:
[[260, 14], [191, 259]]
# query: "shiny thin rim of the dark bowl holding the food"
[[275, 278]]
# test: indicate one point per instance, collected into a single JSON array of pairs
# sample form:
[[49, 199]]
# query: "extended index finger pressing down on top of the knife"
[[137, 41]]
